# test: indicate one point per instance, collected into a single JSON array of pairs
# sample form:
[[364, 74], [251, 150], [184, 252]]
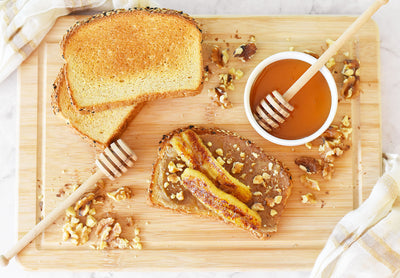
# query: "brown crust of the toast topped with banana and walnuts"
[[164, 144]]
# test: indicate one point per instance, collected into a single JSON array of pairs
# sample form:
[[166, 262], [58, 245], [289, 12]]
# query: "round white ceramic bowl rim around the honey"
[[253, 77]]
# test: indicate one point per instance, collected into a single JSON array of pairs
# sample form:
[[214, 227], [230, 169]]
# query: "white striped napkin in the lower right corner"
[[366, 241]]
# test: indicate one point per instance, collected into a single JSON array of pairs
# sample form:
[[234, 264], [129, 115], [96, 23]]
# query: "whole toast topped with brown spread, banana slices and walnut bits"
[[209, 172]]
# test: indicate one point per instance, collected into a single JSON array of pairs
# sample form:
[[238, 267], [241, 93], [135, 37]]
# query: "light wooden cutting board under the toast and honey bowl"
[[51, 155]]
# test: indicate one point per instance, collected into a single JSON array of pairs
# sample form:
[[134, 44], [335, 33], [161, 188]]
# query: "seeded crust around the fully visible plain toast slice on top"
[[138, 99]]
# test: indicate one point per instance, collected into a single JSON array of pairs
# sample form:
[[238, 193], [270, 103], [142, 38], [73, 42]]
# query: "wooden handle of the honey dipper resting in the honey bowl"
[[333, 49]]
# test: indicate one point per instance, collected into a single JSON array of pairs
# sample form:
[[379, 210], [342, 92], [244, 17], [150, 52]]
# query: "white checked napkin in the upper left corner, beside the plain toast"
[[24, 23]]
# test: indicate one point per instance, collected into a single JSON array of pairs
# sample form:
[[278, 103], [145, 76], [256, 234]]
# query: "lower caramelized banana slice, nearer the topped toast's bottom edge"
[[225, 205]]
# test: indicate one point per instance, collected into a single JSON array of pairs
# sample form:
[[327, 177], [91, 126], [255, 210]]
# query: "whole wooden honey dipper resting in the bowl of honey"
[[275, 108]]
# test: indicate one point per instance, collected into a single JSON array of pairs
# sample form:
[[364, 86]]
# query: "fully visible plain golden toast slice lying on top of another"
[[124, 57]]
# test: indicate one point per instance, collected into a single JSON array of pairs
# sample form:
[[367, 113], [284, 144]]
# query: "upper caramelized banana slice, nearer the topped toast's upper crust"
[[197, 156]]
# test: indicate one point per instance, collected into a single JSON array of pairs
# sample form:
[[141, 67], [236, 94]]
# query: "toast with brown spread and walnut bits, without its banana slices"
[[269, 181]]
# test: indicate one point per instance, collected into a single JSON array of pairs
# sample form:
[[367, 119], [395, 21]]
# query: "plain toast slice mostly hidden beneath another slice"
[[100, 128]]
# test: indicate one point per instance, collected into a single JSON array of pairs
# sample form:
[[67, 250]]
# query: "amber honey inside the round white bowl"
[[311, 104]]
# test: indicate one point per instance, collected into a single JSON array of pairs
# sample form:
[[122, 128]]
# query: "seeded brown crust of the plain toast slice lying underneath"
[[95, 143]]
